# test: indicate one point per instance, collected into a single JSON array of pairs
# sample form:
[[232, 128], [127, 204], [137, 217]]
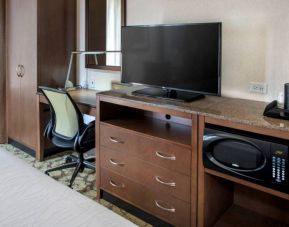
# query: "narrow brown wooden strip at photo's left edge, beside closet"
[[2, 74]]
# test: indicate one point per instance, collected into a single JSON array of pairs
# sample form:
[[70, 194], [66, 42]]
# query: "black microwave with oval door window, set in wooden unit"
[[251, 157]]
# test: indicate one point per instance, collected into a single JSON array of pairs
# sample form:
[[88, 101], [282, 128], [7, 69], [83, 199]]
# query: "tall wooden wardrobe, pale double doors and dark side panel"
[[40, 35]]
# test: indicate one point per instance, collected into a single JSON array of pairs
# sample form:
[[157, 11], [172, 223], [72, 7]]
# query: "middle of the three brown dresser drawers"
[[156, 178]]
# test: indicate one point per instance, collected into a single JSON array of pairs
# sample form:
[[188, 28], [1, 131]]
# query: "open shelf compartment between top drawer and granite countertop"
[[167, 127]]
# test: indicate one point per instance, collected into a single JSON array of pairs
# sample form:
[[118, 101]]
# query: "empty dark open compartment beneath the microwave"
[[230, 204]]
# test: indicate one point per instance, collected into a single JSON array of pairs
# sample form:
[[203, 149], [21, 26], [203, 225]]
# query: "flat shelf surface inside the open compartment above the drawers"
[[173, 132]]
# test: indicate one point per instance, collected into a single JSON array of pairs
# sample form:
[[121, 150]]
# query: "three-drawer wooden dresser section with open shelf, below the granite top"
[[148, 161]]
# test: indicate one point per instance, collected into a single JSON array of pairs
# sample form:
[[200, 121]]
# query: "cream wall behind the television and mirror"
[[255, 38]]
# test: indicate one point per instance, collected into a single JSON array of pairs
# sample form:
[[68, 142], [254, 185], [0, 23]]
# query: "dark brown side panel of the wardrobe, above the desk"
[[56, 30]]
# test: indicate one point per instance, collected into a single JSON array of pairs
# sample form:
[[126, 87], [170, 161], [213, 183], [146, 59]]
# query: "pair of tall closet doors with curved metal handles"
[[21, 50]]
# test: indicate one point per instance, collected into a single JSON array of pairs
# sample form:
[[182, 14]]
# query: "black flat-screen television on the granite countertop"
[[182, 57]]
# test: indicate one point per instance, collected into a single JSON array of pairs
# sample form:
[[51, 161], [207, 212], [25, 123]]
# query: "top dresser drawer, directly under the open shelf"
[[151, 149]]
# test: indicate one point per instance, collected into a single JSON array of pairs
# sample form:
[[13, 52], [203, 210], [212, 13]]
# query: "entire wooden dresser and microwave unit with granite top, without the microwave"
[[150, 154]]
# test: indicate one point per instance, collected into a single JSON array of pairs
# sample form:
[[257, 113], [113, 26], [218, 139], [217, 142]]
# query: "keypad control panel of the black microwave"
[[279, 159]]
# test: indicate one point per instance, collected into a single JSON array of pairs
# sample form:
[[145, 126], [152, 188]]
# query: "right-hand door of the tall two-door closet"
[[28, 82]]
